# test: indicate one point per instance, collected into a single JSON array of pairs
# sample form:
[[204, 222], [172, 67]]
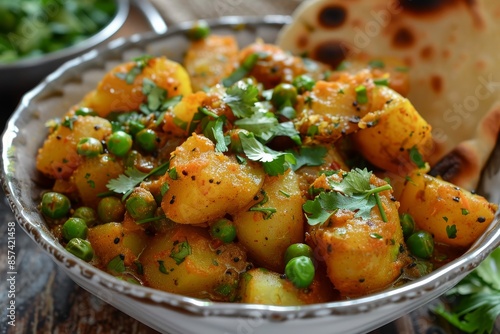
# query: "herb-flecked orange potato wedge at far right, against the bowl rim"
[[452, 215]]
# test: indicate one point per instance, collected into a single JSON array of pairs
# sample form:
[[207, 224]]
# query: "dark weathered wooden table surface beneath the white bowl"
[[48, 301]]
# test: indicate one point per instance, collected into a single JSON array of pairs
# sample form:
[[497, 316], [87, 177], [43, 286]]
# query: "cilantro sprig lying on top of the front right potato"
[[353, 193]]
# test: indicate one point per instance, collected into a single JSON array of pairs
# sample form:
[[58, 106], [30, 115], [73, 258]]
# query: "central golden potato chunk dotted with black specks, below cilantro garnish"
[[207, 184]]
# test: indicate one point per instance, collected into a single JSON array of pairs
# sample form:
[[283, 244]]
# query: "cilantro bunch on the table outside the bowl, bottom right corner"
[[478, 296]]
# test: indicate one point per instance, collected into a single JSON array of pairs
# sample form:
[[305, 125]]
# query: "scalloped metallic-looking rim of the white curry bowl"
[[449, 272]]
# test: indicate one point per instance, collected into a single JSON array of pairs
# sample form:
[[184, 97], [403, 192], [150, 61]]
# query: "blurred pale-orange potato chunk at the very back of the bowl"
[[210, 60]]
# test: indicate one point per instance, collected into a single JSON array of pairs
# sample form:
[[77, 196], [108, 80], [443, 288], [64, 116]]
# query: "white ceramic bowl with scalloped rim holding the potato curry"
[[172, 313]]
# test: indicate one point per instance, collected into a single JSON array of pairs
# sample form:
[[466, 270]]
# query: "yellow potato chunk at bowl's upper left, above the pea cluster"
[[114, 93]]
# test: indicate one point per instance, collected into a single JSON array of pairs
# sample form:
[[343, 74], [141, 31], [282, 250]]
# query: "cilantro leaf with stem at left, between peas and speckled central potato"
[[125, 183]]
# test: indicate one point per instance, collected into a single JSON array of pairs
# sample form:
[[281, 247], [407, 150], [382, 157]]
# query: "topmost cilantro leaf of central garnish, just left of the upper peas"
[[241, 99]]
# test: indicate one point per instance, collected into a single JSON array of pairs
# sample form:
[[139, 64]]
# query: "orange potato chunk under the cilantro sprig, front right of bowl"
[[362, 256]]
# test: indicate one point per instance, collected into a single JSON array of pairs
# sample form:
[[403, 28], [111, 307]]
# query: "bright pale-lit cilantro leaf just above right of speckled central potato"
[[274, 162]]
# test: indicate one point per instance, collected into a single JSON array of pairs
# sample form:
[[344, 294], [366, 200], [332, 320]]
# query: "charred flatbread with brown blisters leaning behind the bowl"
[[452, 49]]
